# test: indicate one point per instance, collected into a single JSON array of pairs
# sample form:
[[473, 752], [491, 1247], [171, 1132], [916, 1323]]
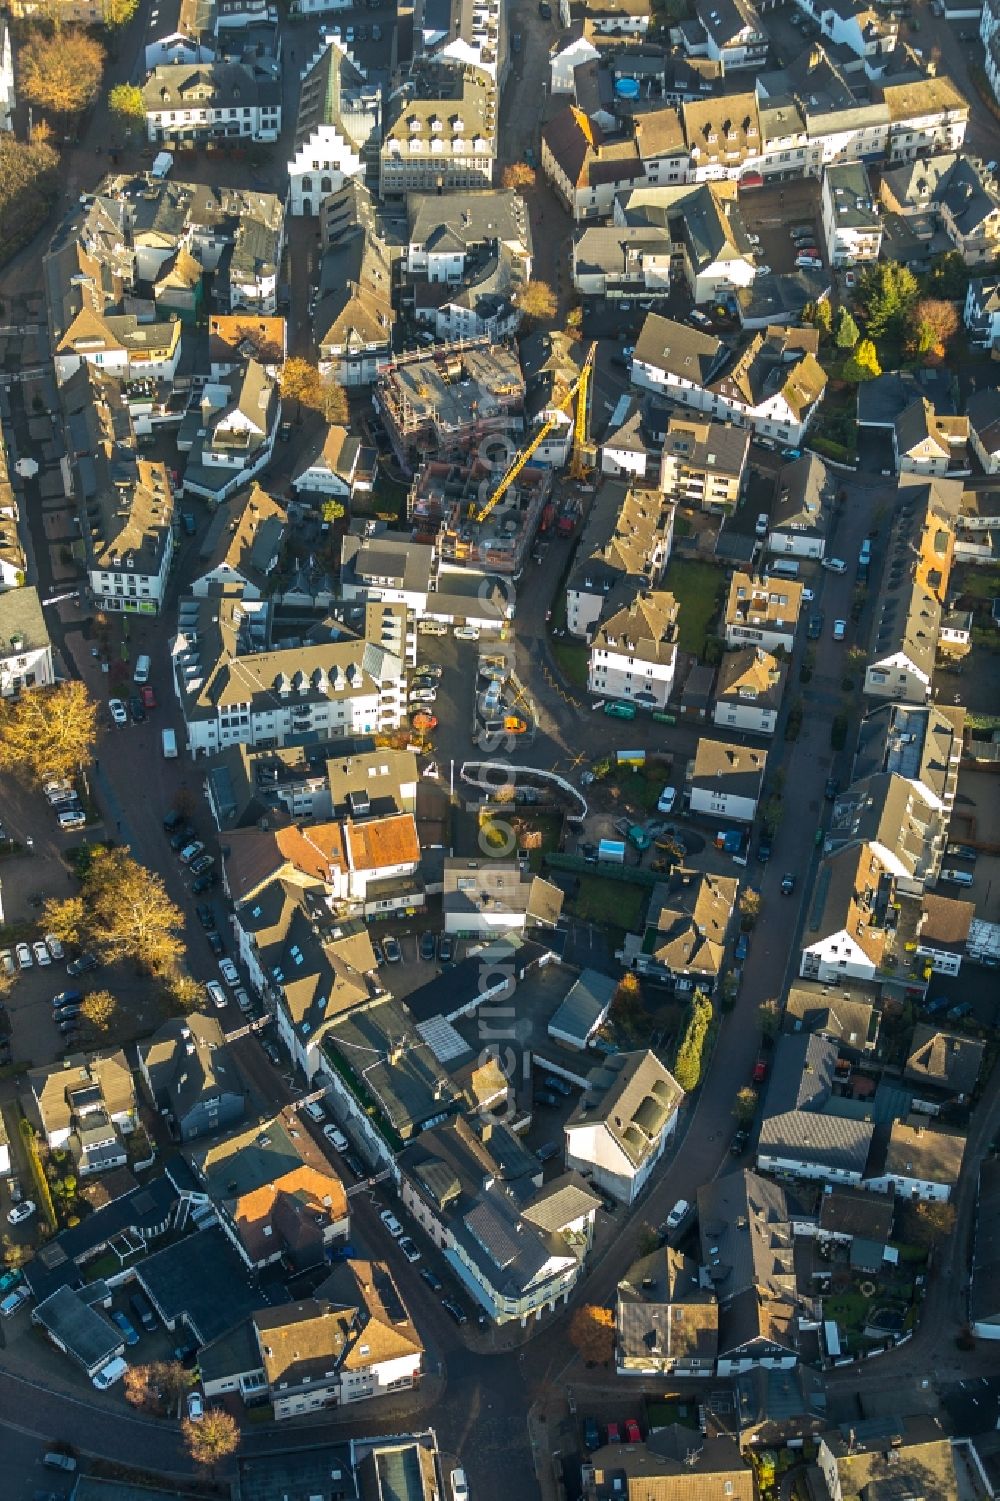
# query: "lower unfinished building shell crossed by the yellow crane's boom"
[[447, 502]]
